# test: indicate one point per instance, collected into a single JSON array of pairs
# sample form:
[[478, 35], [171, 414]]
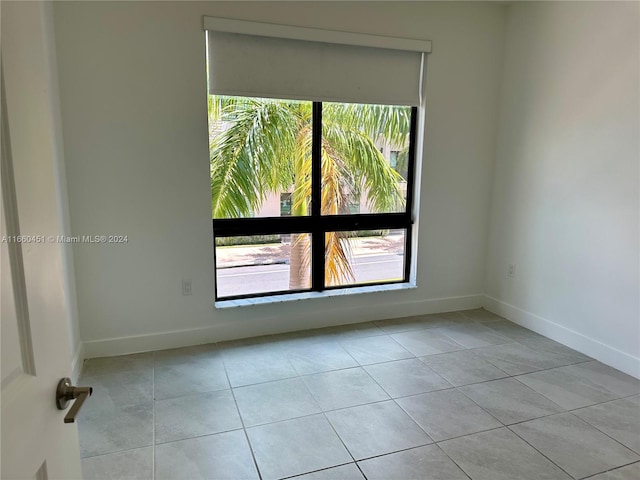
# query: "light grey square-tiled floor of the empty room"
[[463, 395]]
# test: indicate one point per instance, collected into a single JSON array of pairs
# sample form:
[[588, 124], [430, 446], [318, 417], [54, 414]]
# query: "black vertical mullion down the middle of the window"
[[317, 243]]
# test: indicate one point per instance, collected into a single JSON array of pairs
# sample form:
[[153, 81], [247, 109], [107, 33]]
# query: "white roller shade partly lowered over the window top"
[[276, 61]]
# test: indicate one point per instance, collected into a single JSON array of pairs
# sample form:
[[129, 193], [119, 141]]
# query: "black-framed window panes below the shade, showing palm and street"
[[287, 181]]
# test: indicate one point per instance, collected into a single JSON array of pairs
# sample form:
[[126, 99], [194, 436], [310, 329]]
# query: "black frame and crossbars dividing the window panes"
[[317, 225]]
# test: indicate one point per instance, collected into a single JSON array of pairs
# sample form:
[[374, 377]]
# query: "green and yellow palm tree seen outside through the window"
[[259, 146]]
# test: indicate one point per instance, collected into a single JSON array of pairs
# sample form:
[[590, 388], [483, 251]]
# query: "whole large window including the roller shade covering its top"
[[305, 145]]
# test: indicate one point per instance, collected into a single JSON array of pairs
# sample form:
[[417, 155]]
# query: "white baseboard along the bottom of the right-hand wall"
[[604, 353]]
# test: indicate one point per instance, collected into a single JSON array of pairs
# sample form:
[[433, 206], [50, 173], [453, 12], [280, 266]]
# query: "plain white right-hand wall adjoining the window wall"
[[565, 203]]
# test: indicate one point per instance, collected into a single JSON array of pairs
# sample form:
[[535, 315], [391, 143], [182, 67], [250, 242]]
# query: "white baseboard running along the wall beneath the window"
[[251, 328]]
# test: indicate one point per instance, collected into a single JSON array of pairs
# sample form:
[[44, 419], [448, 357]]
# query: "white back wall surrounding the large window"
[[132, 81]]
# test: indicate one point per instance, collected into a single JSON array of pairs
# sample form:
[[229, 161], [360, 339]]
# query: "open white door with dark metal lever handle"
[[36, 443]]
